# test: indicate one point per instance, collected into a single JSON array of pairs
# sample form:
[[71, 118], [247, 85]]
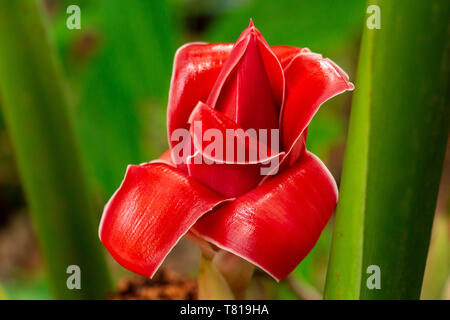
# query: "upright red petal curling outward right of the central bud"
[[310, 81]]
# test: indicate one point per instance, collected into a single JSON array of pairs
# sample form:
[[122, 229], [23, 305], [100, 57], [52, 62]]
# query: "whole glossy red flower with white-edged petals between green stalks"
[[271, 221]]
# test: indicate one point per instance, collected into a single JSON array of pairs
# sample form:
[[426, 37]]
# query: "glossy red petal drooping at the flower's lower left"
[[153, 208]]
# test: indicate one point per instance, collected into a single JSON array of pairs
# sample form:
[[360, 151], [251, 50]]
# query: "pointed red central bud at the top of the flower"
[[250, 87]]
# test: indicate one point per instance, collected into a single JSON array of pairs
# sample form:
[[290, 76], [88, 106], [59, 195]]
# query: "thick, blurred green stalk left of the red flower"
[[37, 114]]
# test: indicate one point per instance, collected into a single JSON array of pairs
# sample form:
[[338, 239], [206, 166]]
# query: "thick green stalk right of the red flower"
[[395, 149]]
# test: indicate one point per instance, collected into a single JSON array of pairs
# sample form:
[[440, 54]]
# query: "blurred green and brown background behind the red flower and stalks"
[[118, 69]]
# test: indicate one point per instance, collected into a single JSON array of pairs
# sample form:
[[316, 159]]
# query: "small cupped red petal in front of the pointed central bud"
[[221, 168]]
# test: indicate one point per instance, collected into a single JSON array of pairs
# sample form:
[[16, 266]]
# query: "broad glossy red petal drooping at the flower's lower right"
[[275, 225]]
